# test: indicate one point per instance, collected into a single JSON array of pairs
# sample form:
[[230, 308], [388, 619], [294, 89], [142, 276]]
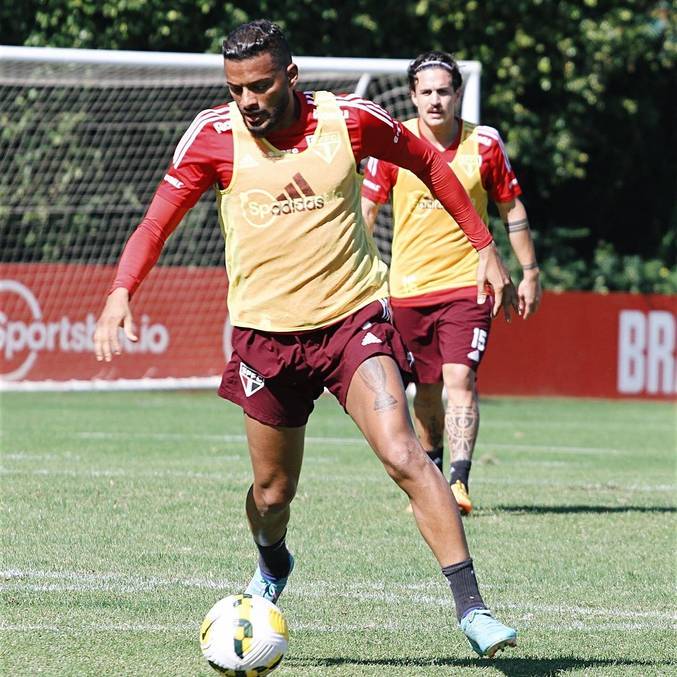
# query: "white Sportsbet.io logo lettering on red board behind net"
[[25, 333]]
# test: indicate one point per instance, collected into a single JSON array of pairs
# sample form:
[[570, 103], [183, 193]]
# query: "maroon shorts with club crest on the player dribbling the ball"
[[276, 378]]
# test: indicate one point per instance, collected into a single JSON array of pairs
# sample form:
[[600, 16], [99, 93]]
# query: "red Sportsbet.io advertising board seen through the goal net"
[[48, 313]]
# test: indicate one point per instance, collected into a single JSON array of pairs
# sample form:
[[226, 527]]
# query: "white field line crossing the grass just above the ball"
[[18, 580]]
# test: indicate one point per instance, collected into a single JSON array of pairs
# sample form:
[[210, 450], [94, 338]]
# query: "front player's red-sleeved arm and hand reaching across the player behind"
[[405, 149]]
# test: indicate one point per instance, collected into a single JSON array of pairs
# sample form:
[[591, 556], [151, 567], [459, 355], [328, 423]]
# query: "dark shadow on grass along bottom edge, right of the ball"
[[511, 667]]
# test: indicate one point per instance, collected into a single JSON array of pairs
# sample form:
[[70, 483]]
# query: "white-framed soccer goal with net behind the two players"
[[85, 138]]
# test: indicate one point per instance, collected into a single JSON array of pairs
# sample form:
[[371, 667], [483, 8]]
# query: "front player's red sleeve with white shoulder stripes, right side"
[[380, 136]]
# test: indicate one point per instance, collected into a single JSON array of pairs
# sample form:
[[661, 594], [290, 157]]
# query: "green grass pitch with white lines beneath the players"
[[123, 522]]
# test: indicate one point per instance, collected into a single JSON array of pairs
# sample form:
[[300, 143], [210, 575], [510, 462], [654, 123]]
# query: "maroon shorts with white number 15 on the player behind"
[[454, 332]]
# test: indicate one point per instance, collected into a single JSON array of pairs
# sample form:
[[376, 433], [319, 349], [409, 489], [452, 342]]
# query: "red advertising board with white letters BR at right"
[[586, 344]]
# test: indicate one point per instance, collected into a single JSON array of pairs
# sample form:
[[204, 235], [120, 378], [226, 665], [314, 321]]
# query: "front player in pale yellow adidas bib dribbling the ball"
[[307, 293]]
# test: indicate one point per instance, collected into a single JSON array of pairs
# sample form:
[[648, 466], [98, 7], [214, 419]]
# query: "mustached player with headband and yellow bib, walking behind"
[[432, 271]]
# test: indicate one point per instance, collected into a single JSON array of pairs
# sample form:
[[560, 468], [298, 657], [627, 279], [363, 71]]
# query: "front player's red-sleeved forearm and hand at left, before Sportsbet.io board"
[[139, 255]]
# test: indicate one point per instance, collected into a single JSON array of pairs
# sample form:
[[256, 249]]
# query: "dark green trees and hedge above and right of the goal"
[[581, 92]]
